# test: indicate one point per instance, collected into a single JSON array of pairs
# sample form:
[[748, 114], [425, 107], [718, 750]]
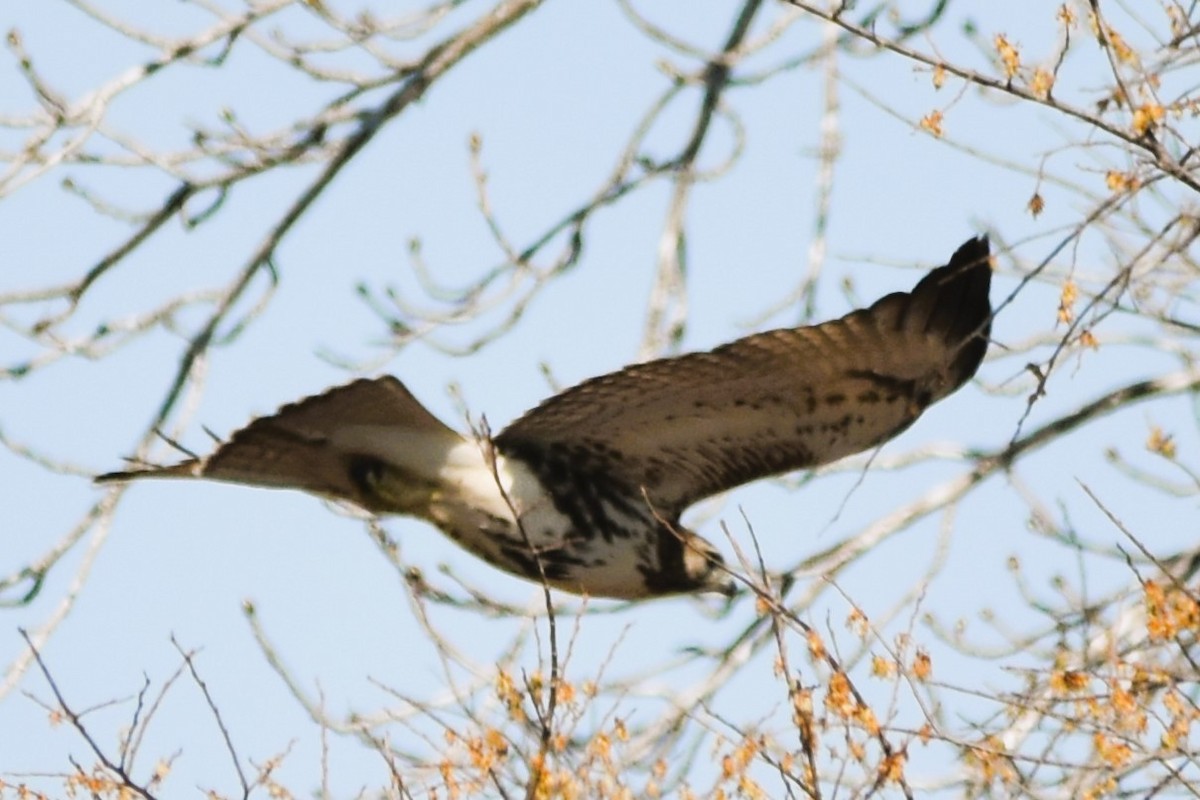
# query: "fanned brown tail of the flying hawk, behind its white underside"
[[310, 444]]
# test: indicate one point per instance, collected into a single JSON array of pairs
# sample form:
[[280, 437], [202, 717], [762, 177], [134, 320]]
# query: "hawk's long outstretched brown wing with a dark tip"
[[687, 428]]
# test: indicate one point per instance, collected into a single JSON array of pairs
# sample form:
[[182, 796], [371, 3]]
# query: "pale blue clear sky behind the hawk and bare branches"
[[554, 101]]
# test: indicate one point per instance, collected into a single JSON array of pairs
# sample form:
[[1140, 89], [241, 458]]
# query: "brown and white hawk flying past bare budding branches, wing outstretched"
[[585, 491]]
